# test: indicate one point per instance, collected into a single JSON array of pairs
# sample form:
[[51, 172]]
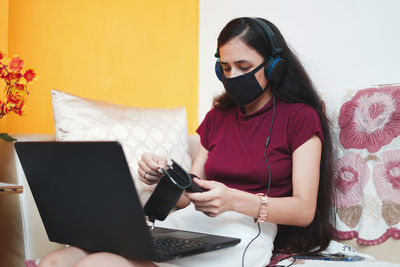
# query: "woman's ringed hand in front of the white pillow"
[[150, 168]]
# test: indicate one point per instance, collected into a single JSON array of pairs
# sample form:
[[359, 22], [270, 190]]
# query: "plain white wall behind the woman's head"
[[342, 43]]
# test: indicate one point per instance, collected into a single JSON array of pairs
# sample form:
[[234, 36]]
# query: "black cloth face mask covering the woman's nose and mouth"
[[245, 88]]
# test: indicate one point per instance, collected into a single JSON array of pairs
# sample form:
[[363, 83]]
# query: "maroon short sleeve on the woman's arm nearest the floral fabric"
[[304, 123]]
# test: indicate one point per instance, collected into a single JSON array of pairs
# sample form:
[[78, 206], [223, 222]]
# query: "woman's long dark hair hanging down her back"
[[295, 87]]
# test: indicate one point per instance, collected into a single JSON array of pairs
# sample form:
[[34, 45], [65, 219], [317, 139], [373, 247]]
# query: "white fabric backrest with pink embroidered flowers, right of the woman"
[[367, 170]]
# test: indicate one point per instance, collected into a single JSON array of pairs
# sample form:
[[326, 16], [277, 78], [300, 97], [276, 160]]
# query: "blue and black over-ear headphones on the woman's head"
[[276, 66]]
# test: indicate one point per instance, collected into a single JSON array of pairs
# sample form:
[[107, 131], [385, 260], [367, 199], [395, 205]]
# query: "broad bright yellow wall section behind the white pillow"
[[131, 52]]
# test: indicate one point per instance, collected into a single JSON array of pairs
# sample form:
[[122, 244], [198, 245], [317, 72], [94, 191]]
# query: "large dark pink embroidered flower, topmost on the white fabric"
[[371, 119]]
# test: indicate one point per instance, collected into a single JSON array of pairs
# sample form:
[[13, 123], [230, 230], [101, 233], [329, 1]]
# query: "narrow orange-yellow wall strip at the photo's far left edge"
[[3, 47]]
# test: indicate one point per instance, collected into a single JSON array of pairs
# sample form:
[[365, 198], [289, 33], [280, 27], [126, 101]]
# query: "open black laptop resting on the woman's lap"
[[86, 198]]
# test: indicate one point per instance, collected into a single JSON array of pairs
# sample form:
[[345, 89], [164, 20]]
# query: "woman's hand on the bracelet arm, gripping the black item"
[[213, 202]]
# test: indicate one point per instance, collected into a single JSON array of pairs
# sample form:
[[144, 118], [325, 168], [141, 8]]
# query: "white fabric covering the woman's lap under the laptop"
[[228, 224]]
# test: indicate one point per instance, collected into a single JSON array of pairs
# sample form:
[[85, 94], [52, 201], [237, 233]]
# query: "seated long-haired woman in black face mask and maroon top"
[[265, 153]]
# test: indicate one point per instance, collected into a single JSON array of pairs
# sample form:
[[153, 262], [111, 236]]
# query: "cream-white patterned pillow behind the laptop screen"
[[160, 131]]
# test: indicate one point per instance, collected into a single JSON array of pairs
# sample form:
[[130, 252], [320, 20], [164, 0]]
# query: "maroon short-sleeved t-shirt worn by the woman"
[[236, 142]]
